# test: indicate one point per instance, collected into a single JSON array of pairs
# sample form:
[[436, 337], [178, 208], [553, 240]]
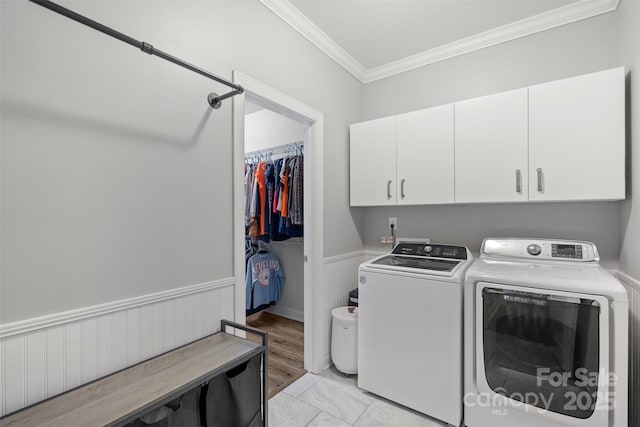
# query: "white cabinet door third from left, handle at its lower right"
[[491, 148]]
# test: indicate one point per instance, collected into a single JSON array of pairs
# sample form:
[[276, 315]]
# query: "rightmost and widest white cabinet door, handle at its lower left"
[[576, 139]]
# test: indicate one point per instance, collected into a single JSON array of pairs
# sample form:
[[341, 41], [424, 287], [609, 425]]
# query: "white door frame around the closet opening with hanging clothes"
[[268, 97]]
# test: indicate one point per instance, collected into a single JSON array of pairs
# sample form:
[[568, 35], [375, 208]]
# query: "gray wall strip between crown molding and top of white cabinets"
[[573, 49]]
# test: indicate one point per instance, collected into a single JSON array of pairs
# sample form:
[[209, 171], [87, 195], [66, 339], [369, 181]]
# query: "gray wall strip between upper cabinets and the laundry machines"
[[468, 224]]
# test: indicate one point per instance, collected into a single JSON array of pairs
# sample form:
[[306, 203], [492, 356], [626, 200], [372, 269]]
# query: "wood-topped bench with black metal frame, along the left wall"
[[126, 395]]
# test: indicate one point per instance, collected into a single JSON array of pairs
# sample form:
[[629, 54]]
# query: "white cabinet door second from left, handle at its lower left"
[[425, 156]]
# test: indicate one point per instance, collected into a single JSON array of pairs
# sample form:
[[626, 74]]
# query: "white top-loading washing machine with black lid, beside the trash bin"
[[410, 327]]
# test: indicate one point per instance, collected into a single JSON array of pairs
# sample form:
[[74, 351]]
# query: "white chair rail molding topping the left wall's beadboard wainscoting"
[[57, 319]]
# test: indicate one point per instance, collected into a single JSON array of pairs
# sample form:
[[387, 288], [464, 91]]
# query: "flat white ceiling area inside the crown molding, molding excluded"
[[378, 32]]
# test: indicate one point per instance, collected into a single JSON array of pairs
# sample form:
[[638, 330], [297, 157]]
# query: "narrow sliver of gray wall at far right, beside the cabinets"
[[628, 15]]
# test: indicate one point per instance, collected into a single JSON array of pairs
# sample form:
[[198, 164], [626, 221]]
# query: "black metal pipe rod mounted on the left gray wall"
[[214, 99]]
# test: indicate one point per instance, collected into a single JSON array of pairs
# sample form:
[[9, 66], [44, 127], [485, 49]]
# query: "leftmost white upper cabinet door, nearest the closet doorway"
[[373, 162]]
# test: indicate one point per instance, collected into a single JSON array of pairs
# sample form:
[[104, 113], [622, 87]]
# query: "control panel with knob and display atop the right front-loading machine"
[[543, 249]]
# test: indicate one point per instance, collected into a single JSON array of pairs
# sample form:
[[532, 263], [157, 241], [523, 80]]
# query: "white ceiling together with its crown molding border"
[[374, 39]]
